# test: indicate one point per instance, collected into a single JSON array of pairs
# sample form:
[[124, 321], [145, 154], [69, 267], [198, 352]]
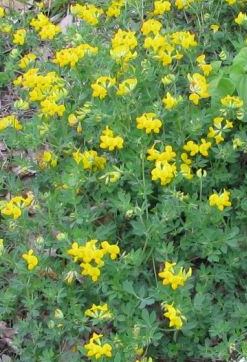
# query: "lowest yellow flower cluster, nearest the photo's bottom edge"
[[96, 349]]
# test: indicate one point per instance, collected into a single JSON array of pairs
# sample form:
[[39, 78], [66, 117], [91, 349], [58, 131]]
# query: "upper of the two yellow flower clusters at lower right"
[[170, 277]]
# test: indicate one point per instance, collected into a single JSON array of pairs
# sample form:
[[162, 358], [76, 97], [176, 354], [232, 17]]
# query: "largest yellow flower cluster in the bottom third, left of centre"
[[89, 254]]
